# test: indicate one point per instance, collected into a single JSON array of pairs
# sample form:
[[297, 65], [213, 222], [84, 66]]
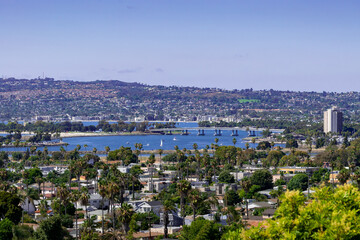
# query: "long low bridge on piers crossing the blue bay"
[[201, 130]]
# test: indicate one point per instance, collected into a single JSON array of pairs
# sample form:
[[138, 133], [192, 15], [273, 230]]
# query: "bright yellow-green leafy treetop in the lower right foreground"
[[332, 214]]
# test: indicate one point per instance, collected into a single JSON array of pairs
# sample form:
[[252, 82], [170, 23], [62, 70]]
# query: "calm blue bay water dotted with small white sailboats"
[[151, 142]]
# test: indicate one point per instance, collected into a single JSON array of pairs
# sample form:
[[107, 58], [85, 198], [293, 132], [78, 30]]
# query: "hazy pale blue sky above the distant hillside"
[[292, 44]]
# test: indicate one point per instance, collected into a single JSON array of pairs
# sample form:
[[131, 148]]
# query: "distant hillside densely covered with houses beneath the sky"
[[25, 99]]
